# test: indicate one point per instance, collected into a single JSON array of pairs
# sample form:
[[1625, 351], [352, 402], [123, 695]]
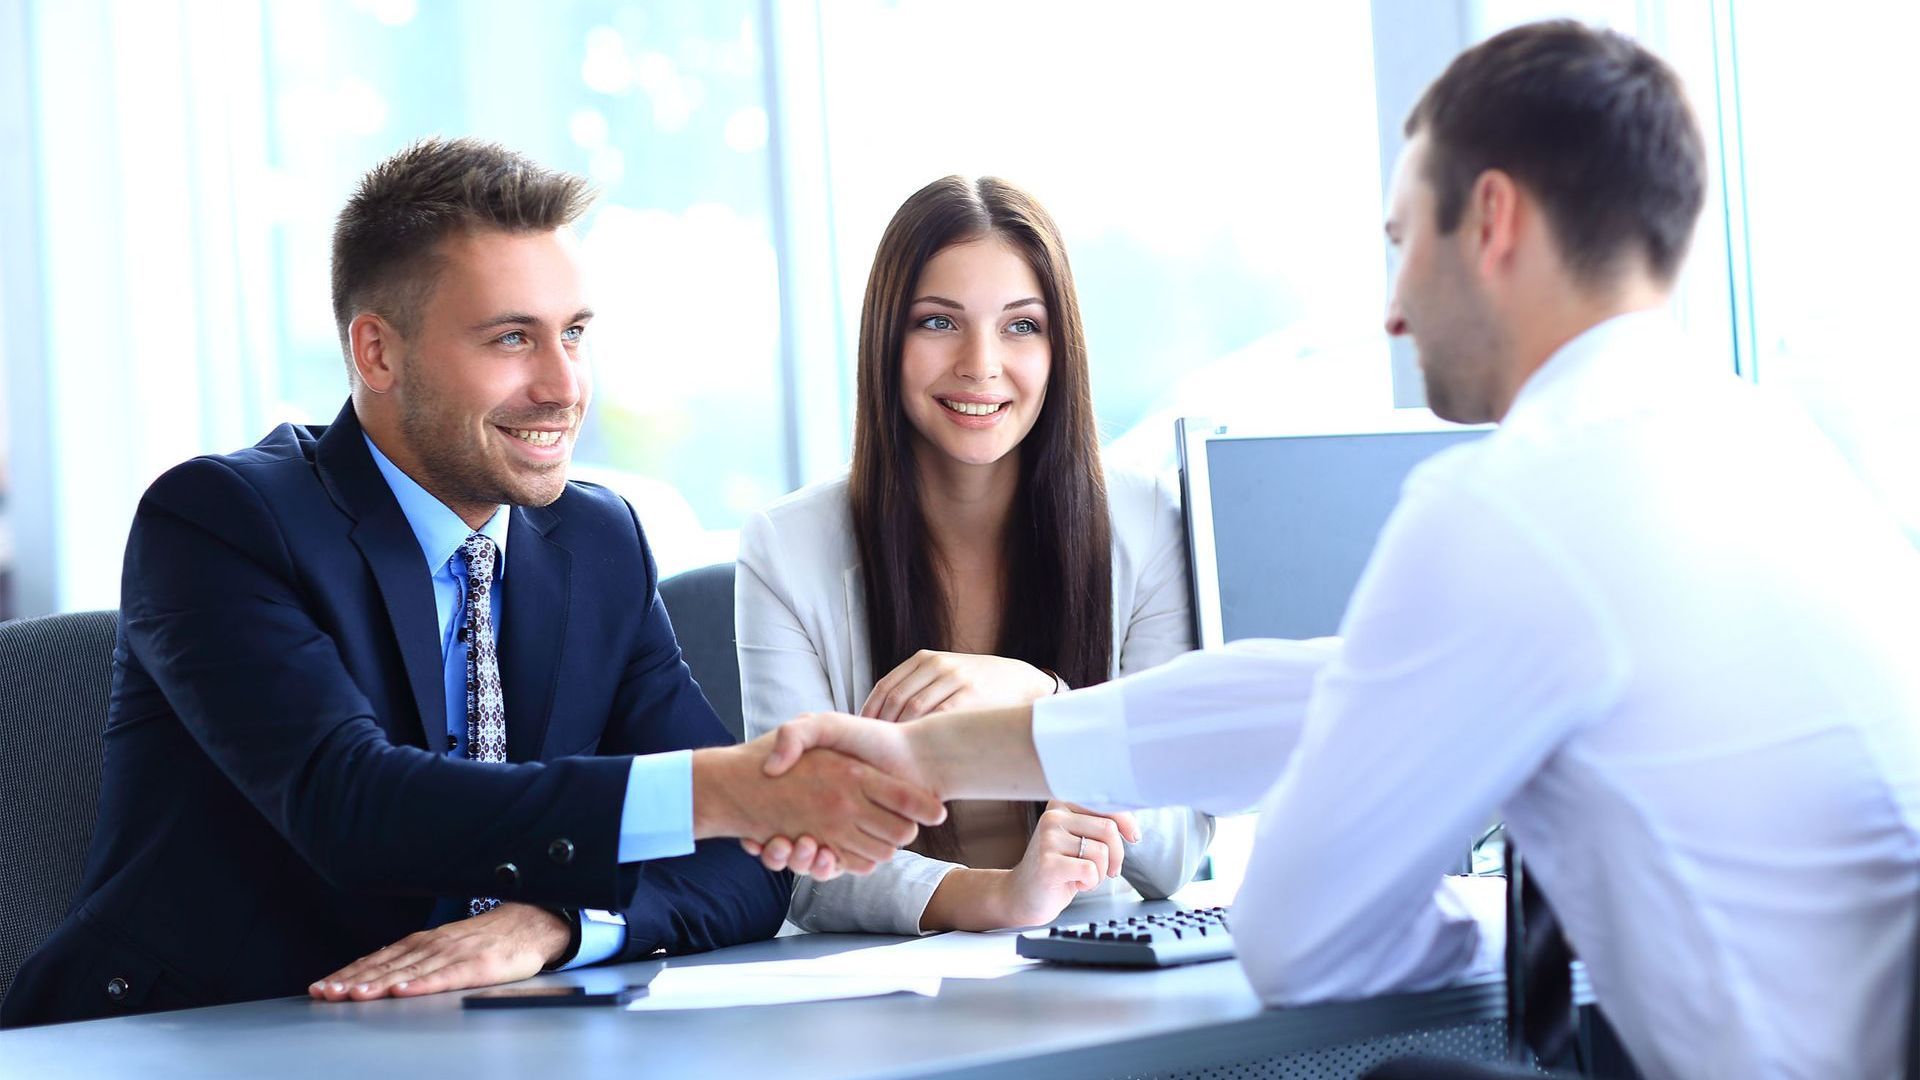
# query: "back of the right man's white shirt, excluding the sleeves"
[[1731, 839]]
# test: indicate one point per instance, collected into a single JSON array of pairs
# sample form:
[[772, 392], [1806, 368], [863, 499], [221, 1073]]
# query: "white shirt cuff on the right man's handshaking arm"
[[1084, 750]]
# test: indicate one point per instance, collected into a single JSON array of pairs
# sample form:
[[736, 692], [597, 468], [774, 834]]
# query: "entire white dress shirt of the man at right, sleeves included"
[[1660, 626]]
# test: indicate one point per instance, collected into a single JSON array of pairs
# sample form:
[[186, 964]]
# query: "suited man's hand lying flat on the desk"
[[506, 945]]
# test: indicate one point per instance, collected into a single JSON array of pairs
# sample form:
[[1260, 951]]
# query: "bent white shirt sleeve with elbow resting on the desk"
[[1474, 649]]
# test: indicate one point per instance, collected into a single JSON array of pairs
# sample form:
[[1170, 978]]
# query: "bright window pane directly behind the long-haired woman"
[[1216, 174]]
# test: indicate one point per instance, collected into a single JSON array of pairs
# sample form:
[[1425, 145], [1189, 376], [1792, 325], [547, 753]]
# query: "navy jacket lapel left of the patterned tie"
[[393, 554]]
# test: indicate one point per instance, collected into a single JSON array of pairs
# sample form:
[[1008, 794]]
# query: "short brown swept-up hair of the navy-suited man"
[[389, 233]]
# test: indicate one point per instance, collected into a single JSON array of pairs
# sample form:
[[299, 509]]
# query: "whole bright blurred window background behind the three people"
[[172, 170]]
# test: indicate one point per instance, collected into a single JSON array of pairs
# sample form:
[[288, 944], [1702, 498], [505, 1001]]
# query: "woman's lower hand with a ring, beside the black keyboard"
[[1072, 850]]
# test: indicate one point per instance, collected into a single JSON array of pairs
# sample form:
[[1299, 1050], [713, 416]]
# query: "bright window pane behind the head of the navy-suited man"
[[663, 107]]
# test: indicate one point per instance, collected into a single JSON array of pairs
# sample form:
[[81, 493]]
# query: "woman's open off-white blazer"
[[802, 624]]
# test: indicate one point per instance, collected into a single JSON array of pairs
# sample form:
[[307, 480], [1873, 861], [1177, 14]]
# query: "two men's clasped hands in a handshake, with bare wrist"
[[828, 793]]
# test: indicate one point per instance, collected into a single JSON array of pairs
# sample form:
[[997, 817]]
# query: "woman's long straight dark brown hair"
[[1059, 602]]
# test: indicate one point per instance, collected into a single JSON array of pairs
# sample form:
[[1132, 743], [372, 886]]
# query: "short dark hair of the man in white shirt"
[[1589, 122]]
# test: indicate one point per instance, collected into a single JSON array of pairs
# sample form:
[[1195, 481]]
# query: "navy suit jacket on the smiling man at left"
[[270, 802]]
